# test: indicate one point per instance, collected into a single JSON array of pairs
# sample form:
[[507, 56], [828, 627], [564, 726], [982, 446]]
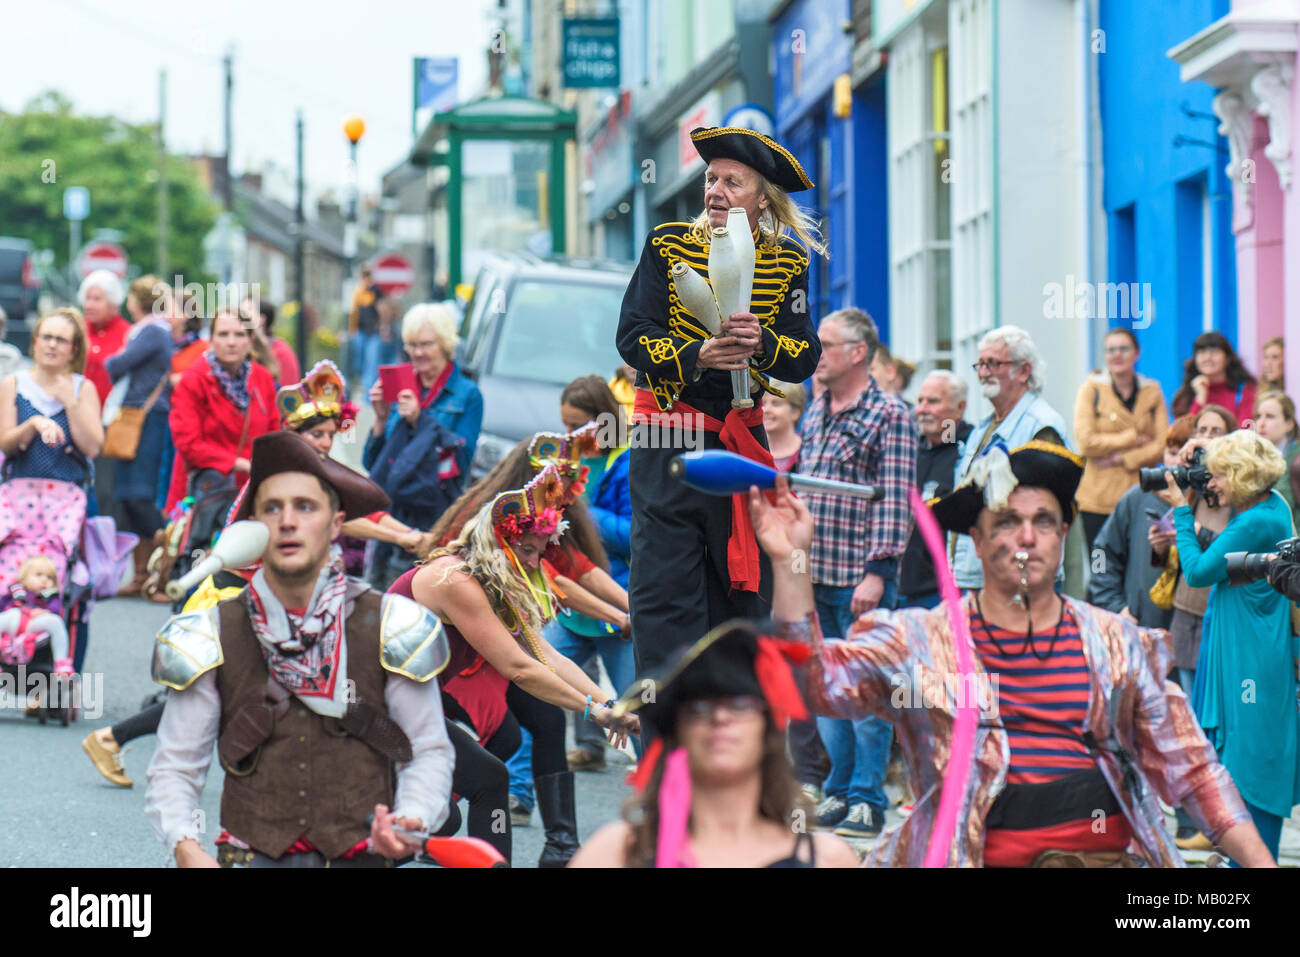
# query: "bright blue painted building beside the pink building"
[[1167, 197]]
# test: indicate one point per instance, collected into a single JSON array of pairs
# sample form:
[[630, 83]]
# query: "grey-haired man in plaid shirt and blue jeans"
[[856, 432]]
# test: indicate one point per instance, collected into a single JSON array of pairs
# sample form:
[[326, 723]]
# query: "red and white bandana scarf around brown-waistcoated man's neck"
[[306, 655]]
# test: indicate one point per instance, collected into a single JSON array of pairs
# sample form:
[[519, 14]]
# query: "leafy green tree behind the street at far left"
[[47, 149]]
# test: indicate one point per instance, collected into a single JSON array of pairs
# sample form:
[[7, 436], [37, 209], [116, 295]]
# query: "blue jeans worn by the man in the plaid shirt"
[[859, 750]]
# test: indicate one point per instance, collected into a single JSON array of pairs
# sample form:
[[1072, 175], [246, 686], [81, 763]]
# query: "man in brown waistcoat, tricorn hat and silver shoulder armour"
[[317, 690]]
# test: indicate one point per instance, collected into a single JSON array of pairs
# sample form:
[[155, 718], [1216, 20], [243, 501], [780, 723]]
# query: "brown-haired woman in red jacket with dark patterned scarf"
[[222, 405]]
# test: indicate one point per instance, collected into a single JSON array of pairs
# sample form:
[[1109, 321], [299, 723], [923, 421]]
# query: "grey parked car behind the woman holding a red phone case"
[[531, 328]]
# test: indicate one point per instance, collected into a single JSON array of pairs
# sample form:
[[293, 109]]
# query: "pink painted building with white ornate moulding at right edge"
[[1250, 57]]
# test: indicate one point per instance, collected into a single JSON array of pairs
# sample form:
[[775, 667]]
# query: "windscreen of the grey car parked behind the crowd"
[[554, 332]]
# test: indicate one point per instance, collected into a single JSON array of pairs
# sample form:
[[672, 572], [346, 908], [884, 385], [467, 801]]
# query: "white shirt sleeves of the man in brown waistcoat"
[[189, 733]]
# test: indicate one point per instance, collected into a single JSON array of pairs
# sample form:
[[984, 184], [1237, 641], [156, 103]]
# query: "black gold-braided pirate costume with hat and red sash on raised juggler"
[[695, 560]]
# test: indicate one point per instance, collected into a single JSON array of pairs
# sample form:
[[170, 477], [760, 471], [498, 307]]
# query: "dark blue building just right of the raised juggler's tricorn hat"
[[844, 155]]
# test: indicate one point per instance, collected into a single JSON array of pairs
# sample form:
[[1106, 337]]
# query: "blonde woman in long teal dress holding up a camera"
[[1246, 683]]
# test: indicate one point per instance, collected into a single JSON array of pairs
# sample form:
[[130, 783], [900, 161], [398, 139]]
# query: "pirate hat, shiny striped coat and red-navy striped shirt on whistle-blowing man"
[[1078, 731]]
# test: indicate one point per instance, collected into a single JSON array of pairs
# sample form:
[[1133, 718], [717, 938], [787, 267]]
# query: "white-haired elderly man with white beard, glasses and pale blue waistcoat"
[[1011, 376]]
